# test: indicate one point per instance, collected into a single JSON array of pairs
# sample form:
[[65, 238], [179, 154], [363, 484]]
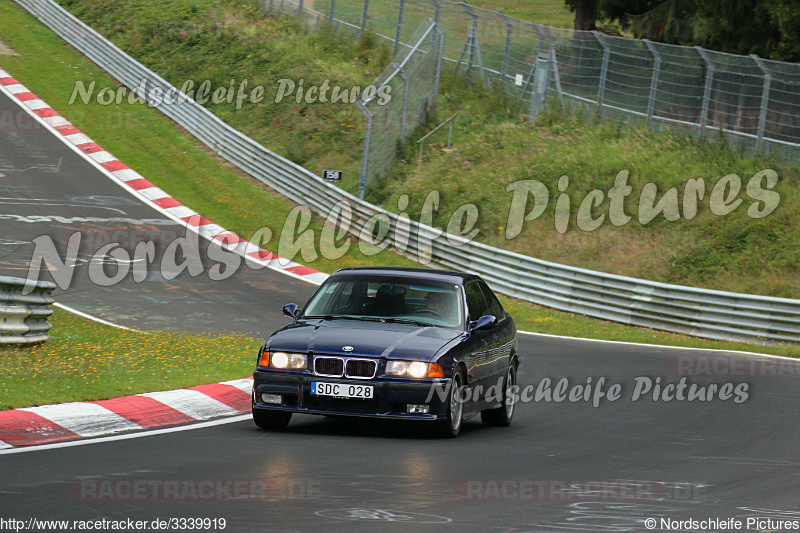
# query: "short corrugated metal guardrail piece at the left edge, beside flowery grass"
[[23, 317]]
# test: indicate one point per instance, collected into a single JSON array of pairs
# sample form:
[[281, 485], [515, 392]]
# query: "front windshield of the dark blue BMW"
[[389, 299]]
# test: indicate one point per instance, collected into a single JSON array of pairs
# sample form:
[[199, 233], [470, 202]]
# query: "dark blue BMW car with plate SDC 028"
[[400, 343]]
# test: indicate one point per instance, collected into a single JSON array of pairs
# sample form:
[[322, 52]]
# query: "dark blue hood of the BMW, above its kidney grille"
[[367, 339]]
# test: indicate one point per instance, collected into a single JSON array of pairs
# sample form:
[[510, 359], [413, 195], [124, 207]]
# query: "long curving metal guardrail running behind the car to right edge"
[[693, 311]]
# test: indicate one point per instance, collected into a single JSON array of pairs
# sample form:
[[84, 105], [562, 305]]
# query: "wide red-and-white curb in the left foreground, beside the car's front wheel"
[[52, 423]]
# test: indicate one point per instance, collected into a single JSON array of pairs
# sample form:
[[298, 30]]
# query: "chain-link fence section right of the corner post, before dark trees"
[[750, 101]]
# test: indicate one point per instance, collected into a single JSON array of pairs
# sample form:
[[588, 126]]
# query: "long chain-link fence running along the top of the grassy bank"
[[745, 100]]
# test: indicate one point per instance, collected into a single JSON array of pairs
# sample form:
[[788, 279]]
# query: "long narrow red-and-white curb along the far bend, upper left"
[[122, 174]]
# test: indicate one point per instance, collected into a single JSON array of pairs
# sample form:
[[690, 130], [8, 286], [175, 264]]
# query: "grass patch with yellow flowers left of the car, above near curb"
[[85, 360]]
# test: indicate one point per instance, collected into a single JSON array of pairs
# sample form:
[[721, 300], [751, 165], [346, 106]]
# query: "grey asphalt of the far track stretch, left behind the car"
[[48, 190]]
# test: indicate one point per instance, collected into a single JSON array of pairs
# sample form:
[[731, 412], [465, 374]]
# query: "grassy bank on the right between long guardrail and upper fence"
[[733, 252]]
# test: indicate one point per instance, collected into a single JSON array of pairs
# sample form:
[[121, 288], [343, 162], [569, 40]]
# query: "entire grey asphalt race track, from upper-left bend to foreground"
[[561, 466]]
